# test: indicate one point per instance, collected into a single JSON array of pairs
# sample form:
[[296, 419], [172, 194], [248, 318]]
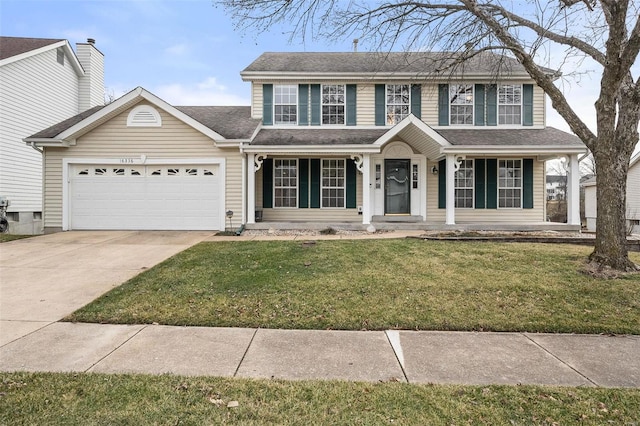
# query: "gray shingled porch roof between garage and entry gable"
[[310, 137]]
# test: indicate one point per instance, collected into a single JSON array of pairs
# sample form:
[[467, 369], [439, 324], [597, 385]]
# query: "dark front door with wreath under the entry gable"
[[397, 187]]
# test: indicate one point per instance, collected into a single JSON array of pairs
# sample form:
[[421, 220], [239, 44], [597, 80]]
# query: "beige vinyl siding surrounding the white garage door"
[[113, 140]]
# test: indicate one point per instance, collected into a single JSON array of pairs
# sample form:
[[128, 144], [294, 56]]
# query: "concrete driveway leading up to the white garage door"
[[45, 278]]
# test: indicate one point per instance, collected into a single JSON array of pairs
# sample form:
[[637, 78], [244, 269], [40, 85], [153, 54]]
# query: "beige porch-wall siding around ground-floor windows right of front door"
[[462, 216]]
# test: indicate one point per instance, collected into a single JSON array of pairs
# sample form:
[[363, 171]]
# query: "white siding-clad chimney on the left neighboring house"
[[92, 83]]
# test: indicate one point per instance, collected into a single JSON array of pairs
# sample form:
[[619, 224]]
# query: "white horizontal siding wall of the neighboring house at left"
[[35, 93]]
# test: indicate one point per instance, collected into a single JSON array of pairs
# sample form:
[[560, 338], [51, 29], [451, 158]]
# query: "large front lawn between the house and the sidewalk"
[[374, 285]]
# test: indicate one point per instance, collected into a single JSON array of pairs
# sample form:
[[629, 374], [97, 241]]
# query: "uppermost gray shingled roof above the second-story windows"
[[374, 62]]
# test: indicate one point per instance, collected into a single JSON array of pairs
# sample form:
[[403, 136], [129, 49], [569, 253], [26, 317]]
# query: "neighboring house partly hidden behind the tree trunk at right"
[[633, 198]]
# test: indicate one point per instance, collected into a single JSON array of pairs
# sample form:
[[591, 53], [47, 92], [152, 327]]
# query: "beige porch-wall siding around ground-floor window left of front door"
[[309, 214]]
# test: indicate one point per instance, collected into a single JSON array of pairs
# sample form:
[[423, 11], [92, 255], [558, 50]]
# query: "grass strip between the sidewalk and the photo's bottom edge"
[[95, 399]]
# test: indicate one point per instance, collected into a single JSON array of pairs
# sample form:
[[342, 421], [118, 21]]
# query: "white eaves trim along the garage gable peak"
[[123, 102]]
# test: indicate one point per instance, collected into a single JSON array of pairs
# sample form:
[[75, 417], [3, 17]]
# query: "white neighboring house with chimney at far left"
[[42, 82]]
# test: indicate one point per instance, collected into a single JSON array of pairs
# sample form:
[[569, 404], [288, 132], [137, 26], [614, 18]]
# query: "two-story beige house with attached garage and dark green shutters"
[[355, 139]]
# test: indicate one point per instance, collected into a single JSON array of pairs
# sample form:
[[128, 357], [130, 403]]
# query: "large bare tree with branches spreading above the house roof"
[[606, 32]]
